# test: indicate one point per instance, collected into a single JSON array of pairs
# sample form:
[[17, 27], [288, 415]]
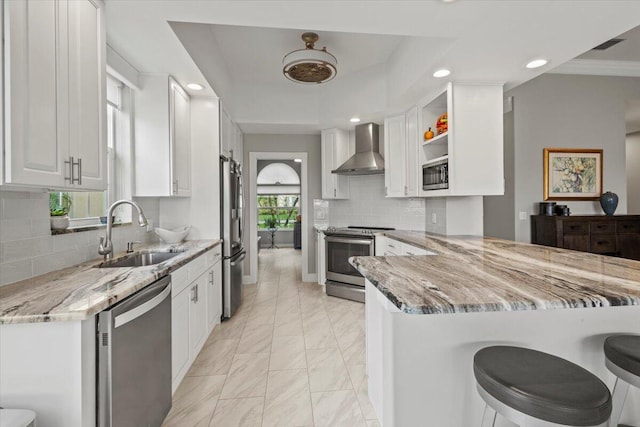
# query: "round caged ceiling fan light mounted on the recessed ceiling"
[[310, 65]]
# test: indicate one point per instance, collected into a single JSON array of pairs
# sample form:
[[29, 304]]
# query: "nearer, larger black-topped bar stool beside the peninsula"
[[533, 388]]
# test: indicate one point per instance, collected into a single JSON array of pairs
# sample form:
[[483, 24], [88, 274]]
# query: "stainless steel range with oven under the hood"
[[343, 280]]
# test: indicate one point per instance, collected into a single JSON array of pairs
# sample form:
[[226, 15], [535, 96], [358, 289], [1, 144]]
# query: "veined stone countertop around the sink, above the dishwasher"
[[79, 292]]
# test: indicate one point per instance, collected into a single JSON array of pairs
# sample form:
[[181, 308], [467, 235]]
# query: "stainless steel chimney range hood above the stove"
[[367, 160]]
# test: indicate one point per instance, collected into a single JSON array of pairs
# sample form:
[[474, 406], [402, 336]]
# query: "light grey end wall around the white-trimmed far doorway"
[[309, 144]]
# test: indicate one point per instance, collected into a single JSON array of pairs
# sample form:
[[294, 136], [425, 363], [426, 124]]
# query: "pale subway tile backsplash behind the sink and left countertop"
[[28, 249]]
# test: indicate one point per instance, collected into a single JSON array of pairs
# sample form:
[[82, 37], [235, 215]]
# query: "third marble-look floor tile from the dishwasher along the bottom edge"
[[288, 400]]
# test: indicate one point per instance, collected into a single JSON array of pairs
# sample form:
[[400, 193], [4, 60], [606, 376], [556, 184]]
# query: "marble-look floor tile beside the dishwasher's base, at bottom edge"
[[194, 401]]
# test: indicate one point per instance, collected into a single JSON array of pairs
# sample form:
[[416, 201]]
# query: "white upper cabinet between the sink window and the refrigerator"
[[163, 138]]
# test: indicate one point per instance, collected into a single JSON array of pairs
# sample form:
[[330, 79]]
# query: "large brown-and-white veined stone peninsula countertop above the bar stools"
[[479, 274]]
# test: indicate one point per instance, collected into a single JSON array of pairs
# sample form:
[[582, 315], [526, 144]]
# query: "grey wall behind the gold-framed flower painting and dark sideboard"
[[573, 112]]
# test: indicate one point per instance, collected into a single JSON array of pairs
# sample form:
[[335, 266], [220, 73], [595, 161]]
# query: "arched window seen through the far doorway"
[[278, 186]]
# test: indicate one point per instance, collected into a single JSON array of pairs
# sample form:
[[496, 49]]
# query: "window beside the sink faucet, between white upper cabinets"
[[85, 208]]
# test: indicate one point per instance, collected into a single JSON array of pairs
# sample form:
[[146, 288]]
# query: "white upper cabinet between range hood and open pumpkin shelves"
[[401, 149]]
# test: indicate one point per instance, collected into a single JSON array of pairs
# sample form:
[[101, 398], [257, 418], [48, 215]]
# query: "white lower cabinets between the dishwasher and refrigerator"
[[196, 307]]
